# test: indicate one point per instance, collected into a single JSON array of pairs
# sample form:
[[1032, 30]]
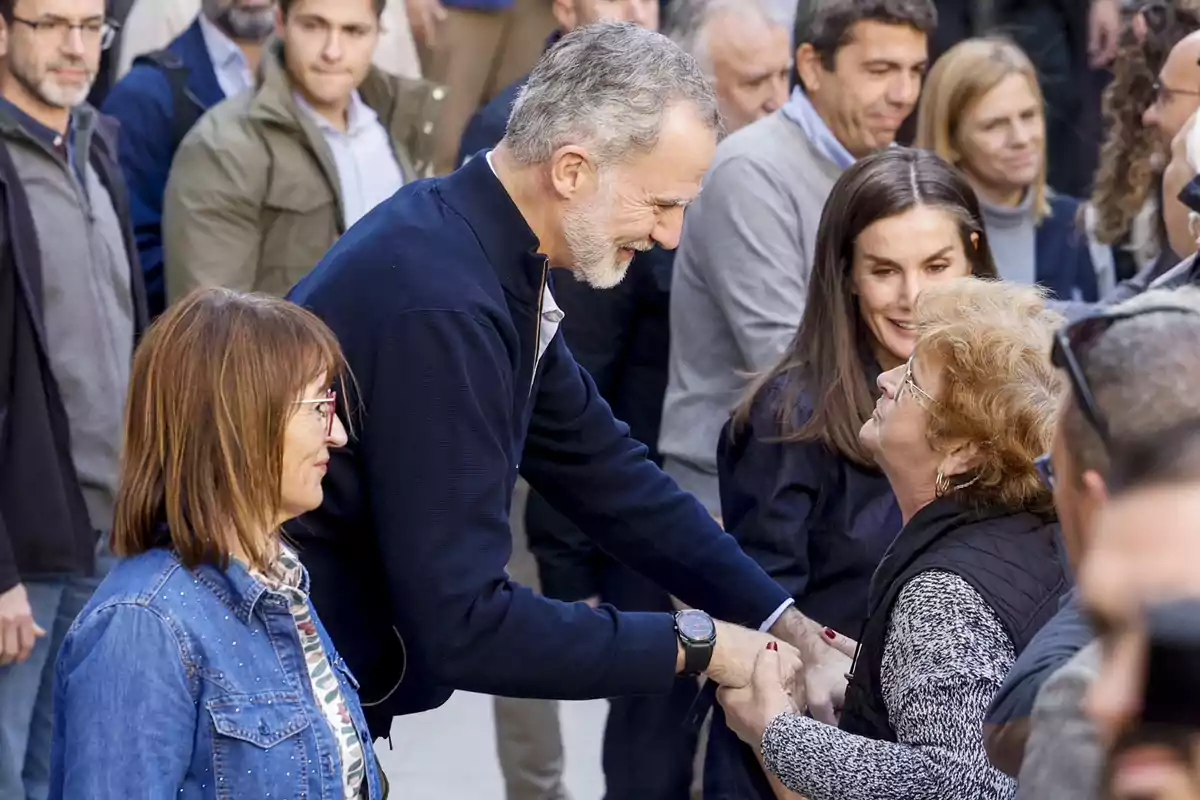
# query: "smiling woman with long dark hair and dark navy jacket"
[[800, 491]]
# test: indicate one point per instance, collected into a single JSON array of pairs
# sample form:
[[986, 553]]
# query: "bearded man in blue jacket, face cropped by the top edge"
[[166, 93]]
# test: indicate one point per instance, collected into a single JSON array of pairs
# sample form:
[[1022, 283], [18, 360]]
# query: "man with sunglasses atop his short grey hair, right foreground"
[[1132, 372]]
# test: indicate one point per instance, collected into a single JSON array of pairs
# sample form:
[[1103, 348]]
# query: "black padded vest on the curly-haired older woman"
[[1013, 561]]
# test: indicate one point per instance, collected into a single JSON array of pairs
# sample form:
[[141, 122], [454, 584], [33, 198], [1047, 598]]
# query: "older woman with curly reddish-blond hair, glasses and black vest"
[[973, 576]]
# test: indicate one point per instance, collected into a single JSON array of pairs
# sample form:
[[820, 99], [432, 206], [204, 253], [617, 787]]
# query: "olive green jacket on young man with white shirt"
[[254, 201]]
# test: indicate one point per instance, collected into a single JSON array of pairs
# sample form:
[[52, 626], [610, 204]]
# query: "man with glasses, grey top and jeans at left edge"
[[71, 306]]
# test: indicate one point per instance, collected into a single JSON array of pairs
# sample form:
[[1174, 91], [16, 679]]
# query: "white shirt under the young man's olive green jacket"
[[368, 171]]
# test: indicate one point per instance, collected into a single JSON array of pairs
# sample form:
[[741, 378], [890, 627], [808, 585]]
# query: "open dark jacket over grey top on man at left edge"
[[44, 522]]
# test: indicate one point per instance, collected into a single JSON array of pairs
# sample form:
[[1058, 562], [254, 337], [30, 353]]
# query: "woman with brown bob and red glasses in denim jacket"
[[200, 667]]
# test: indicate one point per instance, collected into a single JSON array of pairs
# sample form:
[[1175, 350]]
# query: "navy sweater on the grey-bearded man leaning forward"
[[435, 297]]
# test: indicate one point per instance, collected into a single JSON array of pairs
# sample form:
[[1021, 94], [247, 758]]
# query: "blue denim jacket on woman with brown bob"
[[193, 685]]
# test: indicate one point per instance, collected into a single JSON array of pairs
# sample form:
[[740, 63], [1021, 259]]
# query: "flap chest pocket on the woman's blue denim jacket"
[[259, 745]]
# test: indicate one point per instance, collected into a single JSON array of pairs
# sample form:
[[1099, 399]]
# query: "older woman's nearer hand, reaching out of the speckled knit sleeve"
[[777, 688]]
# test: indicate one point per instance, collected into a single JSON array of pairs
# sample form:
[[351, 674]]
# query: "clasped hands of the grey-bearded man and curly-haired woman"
[[763, 677]]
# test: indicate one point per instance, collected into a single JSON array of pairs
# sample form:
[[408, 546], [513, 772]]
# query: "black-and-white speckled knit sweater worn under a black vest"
[[945, 658]]
